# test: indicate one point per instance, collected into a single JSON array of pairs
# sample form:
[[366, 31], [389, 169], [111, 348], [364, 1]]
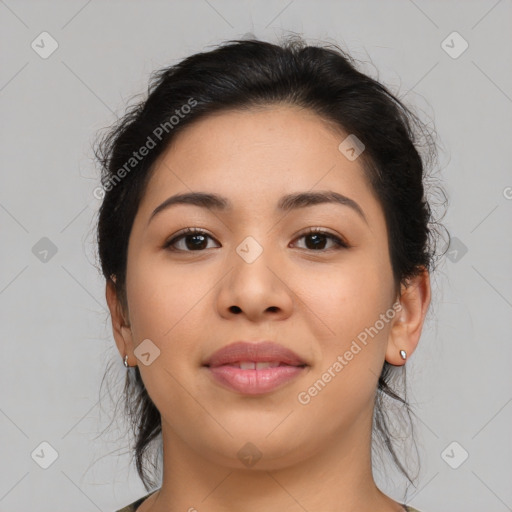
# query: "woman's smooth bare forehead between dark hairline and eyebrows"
[[255, 156]]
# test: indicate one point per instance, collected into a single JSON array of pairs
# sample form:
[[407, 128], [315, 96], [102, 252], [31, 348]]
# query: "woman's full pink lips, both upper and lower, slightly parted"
[[222, 366]]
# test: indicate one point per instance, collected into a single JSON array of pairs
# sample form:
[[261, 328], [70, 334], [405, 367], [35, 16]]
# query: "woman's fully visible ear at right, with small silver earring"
[[407, 325]]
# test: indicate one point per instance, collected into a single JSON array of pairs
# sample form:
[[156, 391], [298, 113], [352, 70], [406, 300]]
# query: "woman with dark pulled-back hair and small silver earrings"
[[267, 244]]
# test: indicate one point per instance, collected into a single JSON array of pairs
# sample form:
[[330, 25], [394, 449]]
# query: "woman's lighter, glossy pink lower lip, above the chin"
[[255, 382]]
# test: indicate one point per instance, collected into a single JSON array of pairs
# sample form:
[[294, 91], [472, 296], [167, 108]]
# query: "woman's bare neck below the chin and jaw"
[[337, 478]]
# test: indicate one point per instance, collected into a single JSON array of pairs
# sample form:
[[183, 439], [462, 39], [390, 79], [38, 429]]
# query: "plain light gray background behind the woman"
[[56, 337]]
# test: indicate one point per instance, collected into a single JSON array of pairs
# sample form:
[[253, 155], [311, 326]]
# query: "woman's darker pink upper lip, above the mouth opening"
[[263, 351]]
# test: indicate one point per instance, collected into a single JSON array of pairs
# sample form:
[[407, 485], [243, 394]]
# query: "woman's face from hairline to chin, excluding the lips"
[[254, 273]]
